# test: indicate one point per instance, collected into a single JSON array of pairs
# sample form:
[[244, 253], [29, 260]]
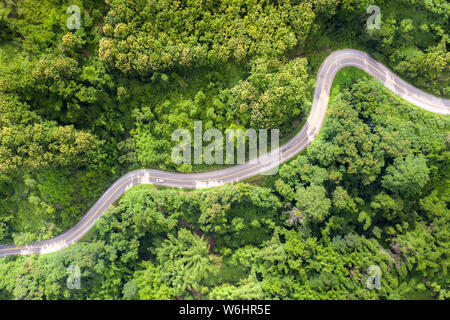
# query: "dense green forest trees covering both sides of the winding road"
[[78, 108]]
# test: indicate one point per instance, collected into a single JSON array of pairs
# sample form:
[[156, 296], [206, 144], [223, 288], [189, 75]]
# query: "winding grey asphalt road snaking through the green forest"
[[332, 64]]
